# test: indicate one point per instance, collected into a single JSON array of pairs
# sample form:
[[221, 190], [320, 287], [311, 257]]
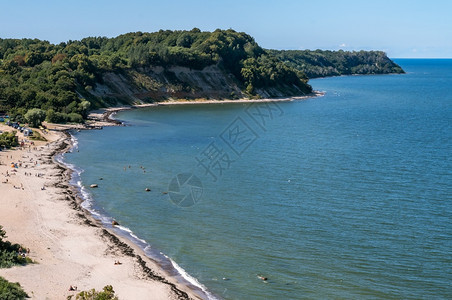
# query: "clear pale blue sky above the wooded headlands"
[[401, 28]]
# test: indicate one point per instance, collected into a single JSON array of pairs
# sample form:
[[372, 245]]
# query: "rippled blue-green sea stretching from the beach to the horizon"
[[342, 196]]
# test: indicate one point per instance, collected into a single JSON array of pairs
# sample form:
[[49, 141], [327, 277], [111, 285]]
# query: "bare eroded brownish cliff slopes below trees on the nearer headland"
[[143, 85]]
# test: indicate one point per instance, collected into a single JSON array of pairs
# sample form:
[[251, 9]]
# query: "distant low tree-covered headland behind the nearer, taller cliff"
[[322, 63]]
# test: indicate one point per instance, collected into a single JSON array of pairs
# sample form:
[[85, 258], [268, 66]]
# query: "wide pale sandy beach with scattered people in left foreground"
[[39, 210]]
